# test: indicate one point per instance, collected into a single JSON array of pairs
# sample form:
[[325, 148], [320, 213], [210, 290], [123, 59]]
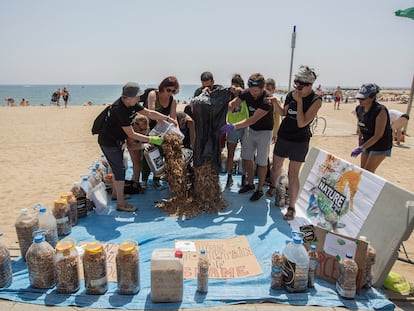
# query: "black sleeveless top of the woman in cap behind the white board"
[[366, 123]]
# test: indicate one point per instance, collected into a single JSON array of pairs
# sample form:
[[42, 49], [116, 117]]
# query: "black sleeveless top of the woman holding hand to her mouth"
[[289, 129]]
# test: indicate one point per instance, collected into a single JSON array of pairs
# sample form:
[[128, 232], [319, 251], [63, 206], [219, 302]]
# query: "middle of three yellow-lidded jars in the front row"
[[94, 269]]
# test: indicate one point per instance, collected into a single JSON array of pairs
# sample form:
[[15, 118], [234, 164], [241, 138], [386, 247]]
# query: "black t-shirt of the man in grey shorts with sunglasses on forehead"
[[266, 122]]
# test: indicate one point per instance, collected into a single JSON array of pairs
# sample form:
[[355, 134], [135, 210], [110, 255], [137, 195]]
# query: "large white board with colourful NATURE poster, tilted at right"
[[355, 202]]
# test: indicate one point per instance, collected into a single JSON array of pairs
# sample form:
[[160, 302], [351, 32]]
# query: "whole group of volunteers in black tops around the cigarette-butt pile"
[[255, 119]]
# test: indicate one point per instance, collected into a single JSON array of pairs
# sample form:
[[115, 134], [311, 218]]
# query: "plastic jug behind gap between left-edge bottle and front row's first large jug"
[[25, 225]]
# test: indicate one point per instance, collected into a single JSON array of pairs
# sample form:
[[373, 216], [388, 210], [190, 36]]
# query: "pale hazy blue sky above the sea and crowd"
[[347, 42]]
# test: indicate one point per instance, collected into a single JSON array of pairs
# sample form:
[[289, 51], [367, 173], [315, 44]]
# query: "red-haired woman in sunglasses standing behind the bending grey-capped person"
[[162, 100]]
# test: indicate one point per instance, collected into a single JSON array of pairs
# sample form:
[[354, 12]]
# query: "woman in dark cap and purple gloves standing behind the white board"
[[374, 128]]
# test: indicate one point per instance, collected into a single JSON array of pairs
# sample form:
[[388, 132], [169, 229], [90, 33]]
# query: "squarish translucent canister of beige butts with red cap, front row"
[[166, 275]]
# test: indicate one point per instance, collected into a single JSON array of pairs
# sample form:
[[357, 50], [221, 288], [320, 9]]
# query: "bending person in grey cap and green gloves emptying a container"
[[115, 130]]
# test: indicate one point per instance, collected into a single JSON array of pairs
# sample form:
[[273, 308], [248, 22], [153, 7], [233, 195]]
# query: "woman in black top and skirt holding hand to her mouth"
[[300, 108]]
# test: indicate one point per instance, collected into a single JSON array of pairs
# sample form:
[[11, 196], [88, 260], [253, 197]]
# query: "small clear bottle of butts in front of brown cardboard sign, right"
[[346, 282]]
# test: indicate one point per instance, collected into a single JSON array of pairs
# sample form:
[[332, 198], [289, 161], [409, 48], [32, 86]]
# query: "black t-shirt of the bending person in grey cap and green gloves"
[[112, 134]]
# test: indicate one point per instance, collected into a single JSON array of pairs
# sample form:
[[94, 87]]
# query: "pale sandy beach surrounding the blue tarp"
[[46, 149]]
